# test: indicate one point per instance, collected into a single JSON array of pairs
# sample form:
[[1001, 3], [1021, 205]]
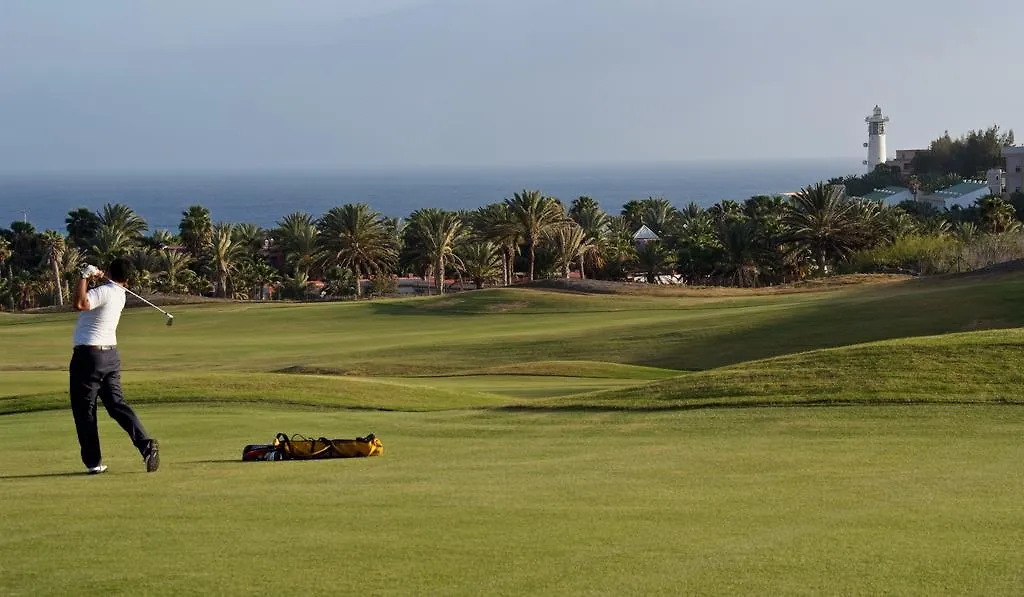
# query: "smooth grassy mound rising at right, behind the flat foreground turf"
[[971, 368]]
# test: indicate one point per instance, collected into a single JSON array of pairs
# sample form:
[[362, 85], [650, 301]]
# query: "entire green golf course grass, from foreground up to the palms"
[[854, 440]]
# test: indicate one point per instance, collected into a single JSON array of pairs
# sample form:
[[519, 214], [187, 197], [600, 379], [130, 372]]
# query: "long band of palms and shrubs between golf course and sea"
[[766, 240]]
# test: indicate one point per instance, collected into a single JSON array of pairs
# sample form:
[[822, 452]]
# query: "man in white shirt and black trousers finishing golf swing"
[[96, 368]]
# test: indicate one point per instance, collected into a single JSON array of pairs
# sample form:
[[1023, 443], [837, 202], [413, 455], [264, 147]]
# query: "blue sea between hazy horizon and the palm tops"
[[264, 198]]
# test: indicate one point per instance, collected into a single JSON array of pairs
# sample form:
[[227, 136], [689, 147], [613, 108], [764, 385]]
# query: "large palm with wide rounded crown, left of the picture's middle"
[[358, 239]]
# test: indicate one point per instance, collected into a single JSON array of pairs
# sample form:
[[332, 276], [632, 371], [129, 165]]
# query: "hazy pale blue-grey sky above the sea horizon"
[[118, 86]]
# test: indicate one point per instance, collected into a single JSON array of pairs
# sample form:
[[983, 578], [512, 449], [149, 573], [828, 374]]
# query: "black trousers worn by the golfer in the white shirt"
[[98, 373]]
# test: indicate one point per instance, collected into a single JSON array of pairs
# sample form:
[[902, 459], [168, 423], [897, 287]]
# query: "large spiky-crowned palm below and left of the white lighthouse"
[[822, 222]]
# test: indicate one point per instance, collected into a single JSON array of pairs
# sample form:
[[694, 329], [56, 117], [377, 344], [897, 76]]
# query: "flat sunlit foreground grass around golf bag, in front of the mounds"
[[903, 500]]
